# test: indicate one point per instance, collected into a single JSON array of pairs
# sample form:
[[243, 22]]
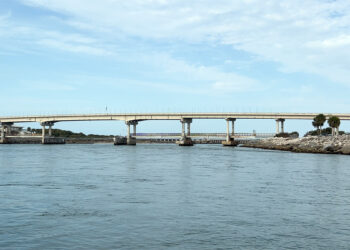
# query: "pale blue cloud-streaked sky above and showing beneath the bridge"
[[88, 56]]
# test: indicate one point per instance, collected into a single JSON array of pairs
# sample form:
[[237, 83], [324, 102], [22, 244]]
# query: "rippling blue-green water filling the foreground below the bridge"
[[165, 196]]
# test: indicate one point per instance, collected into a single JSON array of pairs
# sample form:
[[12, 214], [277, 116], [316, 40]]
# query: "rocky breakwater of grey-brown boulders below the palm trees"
[[310, 144]]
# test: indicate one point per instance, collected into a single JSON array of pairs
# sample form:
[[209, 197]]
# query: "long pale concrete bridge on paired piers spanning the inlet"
[[132, 119]]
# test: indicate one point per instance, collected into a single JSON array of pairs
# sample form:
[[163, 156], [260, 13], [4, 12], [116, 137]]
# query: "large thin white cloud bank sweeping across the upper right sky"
[[303, 36]]
